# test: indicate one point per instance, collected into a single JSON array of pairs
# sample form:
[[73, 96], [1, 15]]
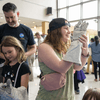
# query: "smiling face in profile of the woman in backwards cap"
[[65, 33]]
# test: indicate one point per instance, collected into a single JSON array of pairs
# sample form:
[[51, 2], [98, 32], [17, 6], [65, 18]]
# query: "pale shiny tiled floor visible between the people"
[[89, 83]]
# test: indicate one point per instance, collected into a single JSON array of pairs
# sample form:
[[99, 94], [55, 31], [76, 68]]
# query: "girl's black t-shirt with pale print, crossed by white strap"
[[10, 72]]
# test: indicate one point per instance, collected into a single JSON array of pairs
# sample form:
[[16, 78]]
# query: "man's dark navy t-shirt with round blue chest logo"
[[22, 33]]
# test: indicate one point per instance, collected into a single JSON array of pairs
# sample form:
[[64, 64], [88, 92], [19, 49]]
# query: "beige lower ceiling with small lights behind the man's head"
[[27, 21]]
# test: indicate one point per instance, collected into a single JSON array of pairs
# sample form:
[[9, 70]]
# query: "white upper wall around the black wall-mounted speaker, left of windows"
[[35, 9]]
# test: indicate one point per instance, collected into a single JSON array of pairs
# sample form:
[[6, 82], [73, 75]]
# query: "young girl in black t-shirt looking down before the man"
[[14, 57]]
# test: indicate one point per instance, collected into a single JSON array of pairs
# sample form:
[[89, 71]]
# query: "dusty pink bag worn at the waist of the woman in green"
[[53, 81]]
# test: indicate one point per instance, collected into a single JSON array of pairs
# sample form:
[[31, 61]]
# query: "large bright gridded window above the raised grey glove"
[[73, 13]]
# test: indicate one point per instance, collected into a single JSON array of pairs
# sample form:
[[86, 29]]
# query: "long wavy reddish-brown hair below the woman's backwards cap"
[[54, 38]]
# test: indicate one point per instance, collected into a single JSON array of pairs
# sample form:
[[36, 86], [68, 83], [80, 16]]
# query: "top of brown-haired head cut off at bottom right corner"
[[92, 94]]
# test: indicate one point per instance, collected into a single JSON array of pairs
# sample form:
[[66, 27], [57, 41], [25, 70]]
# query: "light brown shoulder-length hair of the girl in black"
[[10, 41]]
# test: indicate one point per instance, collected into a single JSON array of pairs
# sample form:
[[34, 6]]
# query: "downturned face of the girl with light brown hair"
[[10, 53]]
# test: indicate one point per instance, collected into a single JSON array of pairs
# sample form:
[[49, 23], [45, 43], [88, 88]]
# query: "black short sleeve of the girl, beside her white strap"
[[24, 69]]
